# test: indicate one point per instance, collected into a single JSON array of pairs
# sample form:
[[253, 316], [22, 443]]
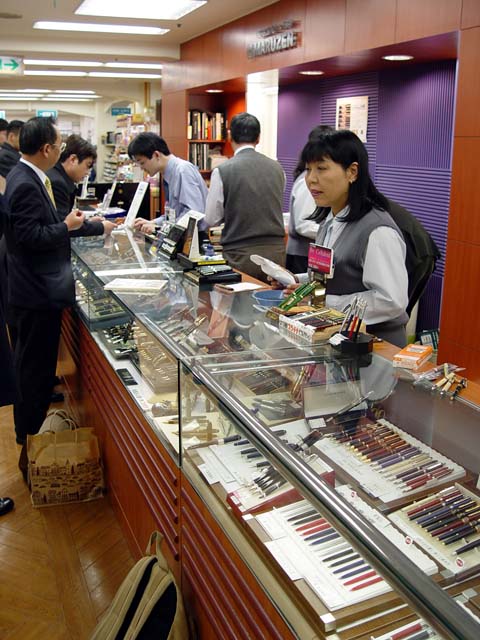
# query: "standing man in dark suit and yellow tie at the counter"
[[40, 278]]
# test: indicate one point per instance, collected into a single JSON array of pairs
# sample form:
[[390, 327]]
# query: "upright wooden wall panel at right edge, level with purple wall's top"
[[467, 113]]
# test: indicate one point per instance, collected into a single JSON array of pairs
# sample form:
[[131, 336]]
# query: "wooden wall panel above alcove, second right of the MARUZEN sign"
[[369, 24]]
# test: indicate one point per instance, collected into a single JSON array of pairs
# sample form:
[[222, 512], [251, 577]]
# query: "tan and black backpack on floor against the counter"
[[148, 605]]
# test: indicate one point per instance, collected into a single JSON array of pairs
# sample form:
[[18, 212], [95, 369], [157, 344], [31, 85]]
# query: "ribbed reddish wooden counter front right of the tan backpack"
[[221, 593]]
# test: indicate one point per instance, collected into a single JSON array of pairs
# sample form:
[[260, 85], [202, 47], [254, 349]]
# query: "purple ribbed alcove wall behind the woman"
[[409, 142]]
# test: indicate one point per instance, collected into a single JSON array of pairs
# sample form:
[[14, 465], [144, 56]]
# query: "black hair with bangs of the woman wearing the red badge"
[[344, 147]]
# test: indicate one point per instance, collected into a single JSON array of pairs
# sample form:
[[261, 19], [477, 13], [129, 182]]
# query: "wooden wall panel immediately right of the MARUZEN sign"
[[324, 29]]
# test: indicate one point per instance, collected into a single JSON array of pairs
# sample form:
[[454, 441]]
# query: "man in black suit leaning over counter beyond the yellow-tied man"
[[74, 164]]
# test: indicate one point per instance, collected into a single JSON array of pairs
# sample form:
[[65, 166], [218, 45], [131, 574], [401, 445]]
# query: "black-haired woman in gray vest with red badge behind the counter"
[[369, 251]]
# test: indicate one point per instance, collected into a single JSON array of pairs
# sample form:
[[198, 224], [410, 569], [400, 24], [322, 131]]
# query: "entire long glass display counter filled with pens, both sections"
[[347, 486]]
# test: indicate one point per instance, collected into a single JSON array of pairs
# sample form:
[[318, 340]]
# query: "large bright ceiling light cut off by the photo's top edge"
[[158, 10]]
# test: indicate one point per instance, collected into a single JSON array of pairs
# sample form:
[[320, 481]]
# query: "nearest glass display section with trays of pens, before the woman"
[[350, 482]]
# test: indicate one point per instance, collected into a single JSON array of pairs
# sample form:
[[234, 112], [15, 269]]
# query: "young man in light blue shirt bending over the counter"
[[186, 187]]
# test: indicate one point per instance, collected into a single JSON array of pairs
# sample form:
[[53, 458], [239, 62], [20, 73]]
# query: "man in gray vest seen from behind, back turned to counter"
[[246, 194]]
